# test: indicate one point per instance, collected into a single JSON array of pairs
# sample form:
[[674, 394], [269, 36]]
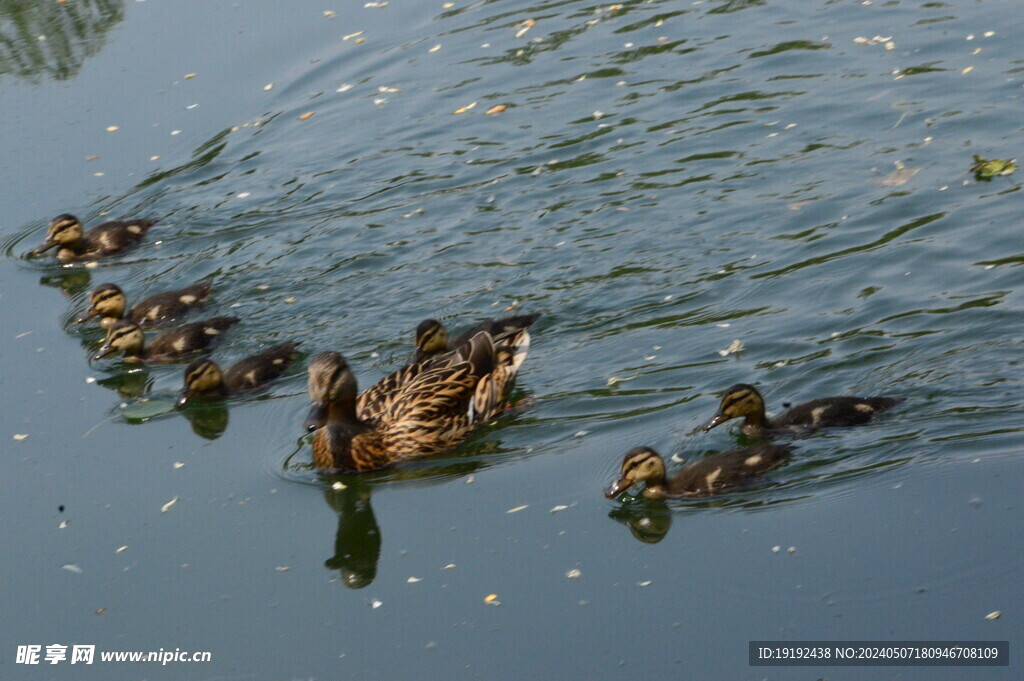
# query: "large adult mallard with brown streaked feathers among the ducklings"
[[433, 412]]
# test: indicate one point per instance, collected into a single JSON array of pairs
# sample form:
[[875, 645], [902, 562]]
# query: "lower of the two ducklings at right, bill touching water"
[[711, 476]]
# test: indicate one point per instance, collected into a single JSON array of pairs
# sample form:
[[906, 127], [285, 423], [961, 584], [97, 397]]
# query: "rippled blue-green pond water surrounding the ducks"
[[666, 179]]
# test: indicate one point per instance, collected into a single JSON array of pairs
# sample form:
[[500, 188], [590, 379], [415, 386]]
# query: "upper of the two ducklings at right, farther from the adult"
[[745, 401]]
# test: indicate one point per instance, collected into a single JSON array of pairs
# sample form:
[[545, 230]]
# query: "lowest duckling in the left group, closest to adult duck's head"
[[203, 376]]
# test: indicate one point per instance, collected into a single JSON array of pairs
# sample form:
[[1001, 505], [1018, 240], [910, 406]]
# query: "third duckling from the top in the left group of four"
[[127, 338]]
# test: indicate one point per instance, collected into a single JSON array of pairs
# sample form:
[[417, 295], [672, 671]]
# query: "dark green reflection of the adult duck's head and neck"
[[358, 542]]
